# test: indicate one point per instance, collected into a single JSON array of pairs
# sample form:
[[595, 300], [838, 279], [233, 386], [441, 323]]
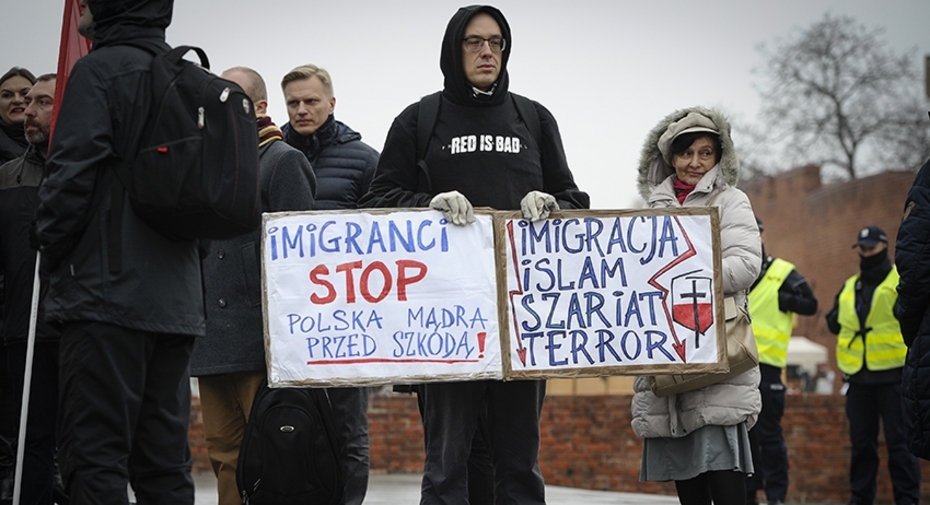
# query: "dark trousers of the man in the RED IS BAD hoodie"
[[452, 412]]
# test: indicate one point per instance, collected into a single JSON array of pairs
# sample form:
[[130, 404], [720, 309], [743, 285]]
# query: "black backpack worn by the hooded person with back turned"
[[196, 173]]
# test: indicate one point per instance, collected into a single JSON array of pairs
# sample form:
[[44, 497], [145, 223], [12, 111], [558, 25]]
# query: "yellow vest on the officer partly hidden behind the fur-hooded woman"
[[771, 326]]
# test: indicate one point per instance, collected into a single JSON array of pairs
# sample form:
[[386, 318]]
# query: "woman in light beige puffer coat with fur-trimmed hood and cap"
[[700, 439]]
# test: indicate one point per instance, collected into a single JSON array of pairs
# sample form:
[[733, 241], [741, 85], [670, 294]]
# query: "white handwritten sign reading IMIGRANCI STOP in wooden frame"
[[282, 361]]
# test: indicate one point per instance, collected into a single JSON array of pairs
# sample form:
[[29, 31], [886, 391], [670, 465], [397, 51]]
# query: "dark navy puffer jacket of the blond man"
[[343, 164]]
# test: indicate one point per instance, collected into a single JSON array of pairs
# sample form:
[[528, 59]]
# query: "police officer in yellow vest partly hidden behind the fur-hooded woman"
[[778, 294]]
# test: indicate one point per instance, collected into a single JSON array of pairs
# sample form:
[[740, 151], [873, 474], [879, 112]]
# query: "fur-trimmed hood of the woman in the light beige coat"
[[653, 169]]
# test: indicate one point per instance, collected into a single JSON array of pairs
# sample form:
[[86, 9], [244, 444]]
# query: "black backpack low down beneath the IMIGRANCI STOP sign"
[[290, 452]]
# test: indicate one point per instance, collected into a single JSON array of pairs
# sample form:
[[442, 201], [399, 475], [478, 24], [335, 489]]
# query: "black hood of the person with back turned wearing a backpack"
[[119, 20]]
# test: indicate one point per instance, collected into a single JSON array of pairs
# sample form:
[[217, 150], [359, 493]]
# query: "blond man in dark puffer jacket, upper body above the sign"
[[344, 165]]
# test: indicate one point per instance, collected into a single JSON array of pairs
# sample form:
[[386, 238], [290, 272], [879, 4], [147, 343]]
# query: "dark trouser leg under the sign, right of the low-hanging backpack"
[[350, 411]]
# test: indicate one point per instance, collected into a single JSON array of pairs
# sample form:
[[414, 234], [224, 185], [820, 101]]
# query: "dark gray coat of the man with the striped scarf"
[[232, 273]]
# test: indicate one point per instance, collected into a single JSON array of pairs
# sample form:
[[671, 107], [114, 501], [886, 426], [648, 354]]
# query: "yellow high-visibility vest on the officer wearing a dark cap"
[[882, 347]]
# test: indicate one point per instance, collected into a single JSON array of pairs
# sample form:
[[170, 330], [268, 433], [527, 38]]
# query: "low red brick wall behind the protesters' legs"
[[587, 443]]
